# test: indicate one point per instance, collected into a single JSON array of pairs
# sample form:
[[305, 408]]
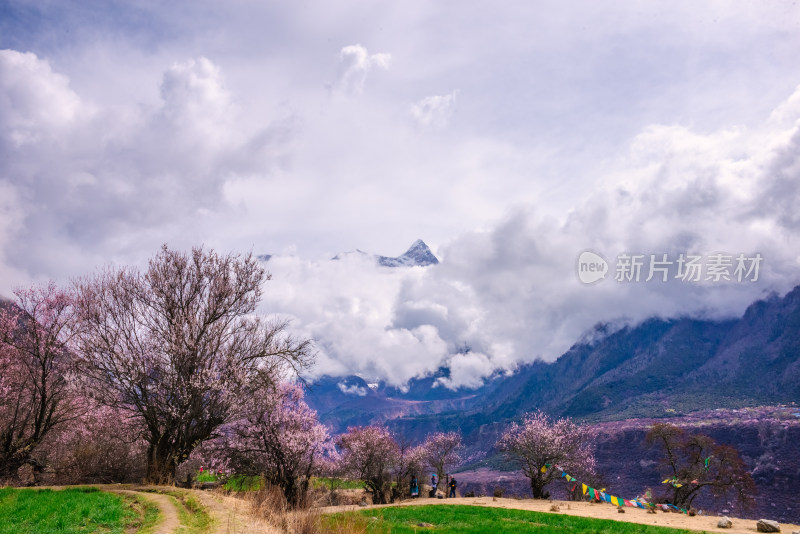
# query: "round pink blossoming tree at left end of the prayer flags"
[[539, 444]]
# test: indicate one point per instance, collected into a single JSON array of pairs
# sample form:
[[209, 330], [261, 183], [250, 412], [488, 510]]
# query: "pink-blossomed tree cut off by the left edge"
[[35, 391]]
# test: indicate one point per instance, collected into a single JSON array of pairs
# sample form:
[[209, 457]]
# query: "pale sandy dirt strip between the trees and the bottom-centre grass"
[[598, 511]]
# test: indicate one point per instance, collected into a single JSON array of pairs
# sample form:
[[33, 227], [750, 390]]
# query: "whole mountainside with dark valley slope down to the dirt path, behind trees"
[[721, 378]]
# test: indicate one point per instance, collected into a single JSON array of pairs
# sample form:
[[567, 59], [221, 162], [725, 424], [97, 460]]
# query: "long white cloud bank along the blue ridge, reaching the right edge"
[[511, 294]]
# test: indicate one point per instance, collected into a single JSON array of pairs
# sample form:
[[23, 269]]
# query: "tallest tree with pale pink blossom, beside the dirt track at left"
[[176, 343]]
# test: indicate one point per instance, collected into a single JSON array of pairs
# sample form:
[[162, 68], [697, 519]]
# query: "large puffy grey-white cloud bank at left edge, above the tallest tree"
[[91, 184]]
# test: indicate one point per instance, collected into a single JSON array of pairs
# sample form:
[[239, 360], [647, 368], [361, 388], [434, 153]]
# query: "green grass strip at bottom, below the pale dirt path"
[[478, 520]]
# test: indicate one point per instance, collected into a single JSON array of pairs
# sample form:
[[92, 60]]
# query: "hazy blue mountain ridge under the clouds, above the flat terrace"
[[658, 368]]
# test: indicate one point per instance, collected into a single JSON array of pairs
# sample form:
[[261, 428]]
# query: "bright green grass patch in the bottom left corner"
[[85, 510]]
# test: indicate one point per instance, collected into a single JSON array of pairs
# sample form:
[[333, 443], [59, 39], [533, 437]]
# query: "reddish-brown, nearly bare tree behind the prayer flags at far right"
[[696, 464]]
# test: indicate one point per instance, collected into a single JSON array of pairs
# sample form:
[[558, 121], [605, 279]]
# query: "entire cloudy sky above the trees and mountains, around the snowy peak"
[[510, 137]]
